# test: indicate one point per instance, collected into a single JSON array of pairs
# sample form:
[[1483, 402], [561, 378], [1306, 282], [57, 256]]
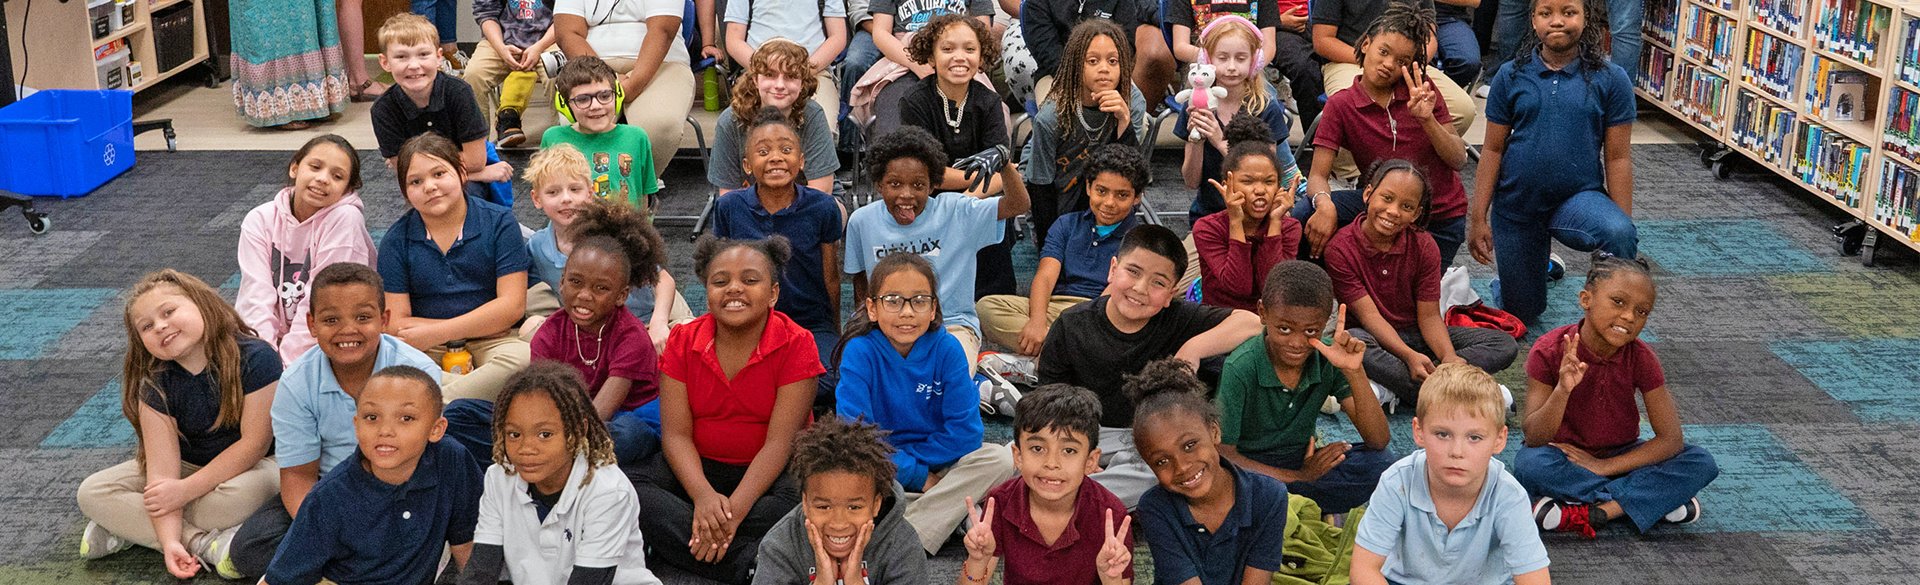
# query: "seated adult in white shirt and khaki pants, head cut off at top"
[[638, 39]]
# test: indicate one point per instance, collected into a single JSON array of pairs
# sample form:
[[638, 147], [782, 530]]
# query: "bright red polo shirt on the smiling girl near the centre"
[[731, 415]]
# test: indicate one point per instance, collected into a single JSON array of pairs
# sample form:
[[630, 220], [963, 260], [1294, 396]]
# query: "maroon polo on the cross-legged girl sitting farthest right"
[[1600, 413]]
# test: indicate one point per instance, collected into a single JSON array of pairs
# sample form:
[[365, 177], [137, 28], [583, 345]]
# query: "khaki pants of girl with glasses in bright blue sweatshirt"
[[940, 511]]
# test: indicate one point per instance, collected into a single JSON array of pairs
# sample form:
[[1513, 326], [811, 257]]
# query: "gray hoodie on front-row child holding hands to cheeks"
[[894, 555]]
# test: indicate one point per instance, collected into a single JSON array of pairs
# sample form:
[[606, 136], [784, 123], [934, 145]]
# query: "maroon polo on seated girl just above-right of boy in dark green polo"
[[1395, 279]]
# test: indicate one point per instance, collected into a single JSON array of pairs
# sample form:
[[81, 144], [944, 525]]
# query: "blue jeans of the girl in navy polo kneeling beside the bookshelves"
[[1587, 222]]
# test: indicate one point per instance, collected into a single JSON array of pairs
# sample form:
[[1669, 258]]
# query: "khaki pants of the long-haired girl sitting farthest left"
[[114, 498]]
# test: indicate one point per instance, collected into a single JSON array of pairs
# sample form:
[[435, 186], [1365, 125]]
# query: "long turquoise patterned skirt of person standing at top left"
[[287, 62]]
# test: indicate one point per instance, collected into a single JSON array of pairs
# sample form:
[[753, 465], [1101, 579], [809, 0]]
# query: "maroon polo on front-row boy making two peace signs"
[[1072, 559]]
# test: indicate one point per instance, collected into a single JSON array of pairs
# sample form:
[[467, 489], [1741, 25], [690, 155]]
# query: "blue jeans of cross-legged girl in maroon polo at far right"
[[1644, 494]]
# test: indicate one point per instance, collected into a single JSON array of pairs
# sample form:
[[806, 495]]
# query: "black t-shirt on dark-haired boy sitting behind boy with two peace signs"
[[1086, 350]]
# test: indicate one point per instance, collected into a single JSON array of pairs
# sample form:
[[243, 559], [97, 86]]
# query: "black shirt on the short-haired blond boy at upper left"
[[450, 112]]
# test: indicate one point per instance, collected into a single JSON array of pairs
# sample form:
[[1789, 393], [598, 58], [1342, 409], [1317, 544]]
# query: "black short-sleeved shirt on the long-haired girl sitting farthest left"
[[195, 402]]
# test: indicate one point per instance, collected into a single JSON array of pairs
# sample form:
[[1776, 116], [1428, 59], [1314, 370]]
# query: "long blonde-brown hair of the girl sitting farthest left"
[[220, 337]]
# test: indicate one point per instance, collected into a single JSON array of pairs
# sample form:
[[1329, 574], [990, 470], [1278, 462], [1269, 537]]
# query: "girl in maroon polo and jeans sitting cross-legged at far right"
[[1585, 459]]
